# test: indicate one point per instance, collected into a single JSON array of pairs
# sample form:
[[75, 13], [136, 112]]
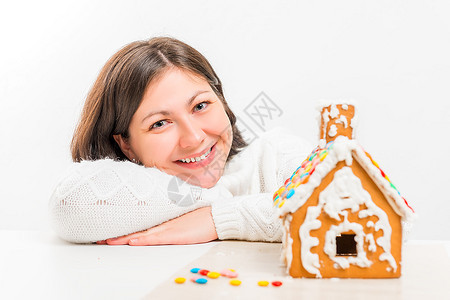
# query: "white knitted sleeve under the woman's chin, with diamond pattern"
[[97, 200]]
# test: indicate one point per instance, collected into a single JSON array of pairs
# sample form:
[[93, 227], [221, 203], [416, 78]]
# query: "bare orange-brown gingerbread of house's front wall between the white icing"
[[379, 268]]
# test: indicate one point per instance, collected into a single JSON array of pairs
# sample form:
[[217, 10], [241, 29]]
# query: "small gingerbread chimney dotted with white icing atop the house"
[[336, 120]]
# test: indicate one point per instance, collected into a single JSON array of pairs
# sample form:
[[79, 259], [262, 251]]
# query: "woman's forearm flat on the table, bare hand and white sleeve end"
[[249, 217]]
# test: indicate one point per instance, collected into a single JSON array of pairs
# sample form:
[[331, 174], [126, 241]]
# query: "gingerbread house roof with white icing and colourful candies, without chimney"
[[298, 188]]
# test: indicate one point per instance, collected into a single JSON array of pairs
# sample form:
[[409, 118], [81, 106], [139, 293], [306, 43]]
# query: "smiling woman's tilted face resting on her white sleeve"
[[181, 128]]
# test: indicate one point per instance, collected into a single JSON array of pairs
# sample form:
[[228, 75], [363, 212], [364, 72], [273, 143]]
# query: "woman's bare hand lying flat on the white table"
[[192, 228]]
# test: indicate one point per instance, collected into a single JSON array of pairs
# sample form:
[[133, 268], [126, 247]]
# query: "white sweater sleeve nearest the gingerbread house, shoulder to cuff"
[[269, 162]]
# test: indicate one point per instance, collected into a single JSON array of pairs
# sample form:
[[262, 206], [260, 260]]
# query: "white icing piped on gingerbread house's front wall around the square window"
[[344, 193]]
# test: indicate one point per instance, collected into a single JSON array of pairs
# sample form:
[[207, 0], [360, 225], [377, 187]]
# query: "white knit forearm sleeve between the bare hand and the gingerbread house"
[[247, 217]]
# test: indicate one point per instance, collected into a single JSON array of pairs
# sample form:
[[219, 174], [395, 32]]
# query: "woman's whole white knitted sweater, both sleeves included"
[[97, 200]]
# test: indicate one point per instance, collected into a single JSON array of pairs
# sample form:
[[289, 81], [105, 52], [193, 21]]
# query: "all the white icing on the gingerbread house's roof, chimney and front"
[[343, 199]]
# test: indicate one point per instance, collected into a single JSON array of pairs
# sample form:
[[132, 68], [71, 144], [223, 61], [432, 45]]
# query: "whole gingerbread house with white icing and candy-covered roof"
[[342, 216]]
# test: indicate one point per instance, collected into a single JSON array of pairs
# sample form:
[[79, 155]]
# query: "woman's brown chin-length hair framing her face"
[[119, 89]]
